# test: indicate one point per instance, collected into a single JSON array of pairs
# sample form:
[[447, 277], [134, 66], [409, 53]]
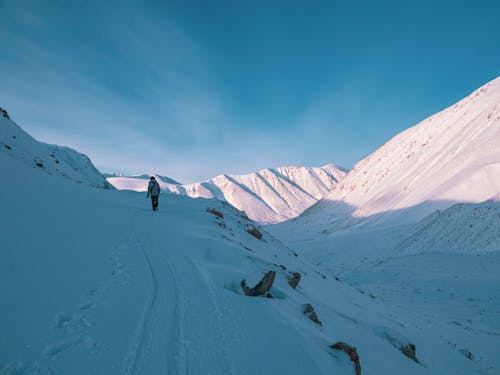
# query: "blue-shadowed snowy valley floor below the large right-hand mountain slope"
[[441, 273]]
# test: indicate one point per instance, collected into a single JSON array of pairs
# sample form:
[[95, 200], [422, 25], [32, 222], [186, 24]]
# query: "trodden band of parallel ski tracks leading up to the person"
[[173, 333]]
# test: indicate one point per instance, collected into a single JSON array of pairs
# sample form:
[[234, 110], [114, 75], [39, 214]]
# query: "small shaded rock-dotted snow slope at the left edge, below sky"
[[63, 161]]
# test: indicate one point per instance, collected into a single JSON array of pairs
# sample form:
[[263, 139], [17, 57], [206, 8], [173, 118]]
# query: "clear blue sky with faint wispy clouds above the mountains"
[[192, 89]]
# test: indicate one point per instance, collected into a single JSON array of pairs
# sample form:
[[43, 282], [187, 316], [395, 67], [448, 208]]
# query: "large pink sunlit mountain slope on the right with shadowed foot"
[[453, 156]]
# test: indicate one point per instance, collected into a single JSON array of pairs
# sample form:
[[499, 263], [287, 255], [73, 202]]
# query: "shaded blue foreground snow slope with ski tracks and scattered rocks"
[[110, 287]]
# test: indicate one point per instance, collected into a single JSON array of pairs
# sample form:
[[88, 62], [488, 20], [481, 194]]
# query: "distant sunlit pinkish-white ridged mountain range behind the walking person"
[[267, 196]]
